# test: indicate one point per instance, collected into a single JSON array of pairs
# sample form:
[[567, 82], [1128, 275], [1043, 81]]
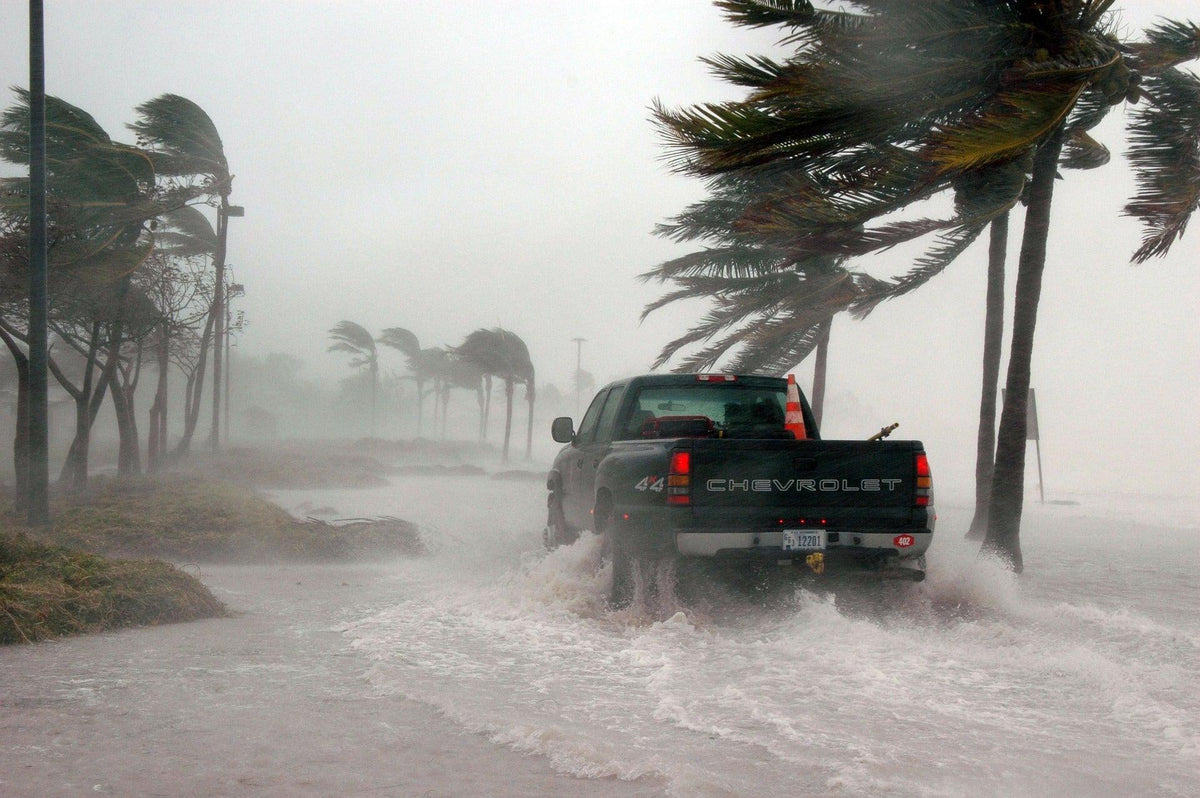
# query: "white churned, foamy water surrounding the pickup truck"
[[1077, 677]]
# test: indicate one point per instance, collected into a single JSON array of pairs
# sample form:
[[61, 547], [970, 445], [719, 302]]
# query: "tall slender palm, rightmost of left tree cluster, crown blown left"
[[184, 142]]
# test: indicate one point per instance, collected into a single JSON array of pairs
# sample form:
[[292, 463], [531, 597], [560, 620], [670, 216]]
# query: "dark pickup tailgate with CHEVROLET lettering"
[[839, 483]]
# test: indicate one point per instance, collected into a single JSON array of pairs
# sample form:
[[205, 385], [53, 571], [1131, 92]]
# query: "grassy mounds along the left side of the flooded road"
[[113, 556]]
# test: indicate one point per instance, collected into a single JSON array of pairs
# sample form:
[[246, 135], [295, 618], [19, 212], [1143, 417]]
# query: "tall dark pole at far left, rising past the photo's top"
[[39, 469]]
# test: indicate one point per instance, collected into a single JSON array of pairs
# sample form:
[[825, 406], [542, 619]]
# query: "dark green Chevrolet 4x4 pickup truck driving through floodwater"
[[723, 466]]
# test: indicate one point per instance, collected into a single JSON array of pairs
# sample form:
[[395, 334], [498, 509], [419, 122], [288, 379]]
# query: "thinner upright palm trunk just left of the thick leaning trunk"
[[993, 340]]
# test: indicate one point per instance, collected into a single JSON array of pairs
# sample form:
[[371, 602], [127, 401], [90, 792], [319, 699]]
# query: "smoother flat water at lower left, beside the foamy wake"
[[271, 704]]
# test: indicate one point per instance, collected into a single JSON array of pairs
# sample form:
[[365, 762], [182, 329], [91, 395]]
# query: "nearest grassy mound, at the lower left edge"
[[49, 592]]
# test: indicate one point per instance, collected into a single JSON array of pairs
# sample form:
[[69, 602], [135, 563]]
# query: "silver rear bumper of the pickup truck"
[[898, 544]]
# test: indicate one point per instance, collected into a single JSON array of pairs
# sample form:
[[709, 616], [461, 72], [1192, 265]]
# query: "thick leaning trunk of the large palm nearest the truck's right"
[[1009, 479]]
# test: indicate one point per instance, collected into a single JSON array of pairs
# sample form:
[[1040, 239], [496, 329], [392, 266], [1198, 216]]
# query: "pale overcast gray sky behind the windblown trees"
[[451, 166]]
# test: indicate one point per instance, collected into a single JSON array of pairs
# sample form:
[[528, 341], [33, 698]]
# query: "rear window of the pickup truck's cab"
[[703, 411]]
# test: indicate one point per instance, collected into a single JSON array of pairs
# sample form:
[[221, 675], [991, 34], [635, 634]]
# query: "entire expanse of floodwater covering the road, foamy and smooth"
[[1079, 677]]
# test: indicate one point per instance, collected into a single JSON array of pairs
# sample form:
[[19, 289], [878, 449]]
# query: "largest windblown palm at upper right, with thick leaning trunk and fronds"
[[999, 82]]
